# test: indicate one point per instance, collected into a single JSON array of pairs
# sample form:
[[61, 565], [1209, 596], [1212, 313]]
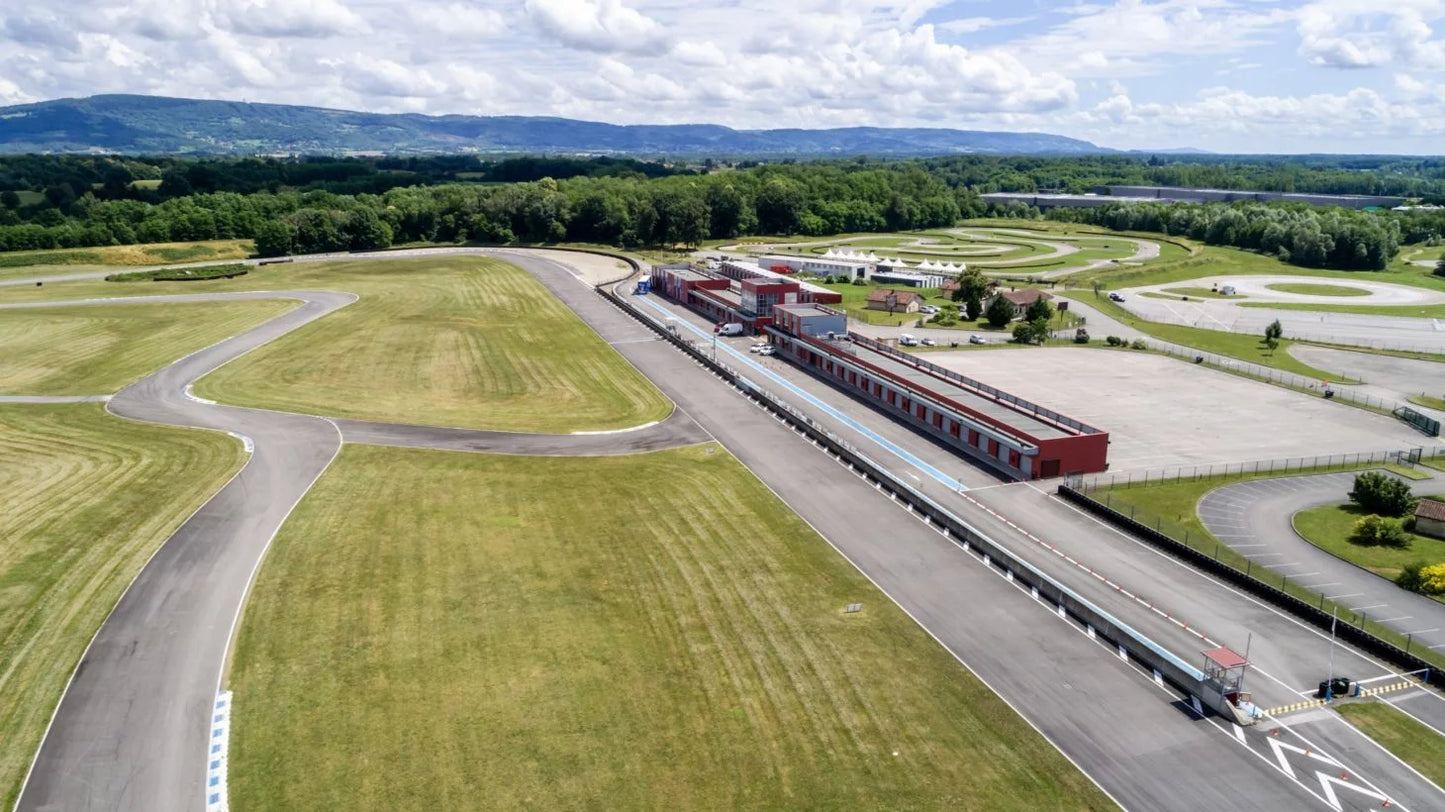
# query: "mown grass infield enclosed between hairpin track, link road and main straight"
[[453, 342]]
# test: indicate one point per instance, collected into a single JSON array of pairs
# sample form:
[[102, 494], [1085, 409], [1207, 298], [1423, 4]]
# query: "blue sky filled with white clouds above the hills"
[[1230, 76]]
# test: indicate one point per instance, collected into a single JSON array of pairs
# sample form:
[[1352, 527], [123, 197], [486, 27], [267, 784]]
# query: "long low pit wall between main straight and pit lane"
[[1102, 625]]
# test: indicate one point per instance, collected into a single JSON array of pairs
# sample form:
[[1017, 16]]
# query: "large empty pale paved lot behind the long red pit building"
[[1163, 413]]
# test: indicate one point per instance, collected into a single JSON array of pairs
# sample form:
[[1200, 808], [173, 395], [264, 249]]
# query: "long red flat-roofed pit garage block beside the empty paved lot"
[[1012, 436]]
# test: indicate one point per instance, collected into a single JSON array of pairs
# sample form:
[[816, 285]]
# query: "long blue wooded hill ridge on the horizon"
[[168, 126]]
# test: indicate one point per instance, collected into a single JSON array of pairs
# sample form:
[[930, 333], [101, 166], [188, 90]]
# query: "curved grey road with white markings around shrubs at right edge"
[[1256, 521]]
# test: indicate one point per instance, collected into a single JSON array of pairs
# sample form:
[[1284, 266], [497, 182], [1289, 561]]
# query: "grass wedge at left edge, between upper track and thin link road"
[[99, 349]]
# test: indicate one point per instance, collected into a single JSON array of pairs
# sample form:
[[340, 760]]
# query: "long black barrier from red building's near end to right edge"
[[1310, 613]]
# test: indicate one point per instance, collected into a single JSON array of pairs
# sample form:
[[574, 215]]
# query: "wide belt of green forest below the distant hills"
[[307, 206]]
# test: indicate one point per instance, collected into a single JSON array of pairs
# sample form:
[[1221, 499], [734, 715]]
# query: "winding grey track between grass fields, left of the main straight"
[[131, 730]]
